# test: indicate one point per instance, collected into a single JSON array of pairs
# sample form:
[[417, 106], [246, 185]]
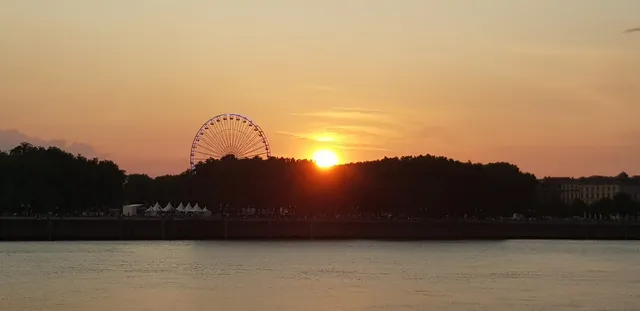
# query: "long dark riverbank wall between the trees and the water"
[[29, 229]]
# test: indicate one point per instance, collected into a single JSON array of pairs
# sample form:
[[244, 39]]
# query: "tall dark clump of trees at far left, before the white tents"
[[36, 180]]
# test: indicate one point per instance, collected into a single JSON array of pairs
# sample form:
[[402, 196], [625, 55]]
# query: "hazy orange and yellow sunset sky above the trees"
[[552, 86]]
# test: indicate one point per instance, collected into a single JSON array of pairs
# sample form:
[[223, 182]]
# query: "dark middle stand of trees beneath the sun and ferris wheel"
[[423, 186]]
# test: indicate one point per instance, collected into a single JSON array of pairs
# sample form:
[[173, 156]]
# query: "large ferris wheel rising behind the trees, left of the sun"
[[229, 134]]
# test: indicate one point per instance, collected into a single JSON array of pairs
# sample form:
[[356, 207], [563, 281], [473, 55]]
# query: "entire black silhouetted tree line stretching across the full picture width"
[[49, 180]]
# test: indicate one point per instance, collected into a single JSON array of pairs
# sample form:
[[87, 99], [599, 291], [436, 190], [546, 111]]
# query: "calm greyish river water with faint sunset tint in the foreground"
[[319, 275]]
